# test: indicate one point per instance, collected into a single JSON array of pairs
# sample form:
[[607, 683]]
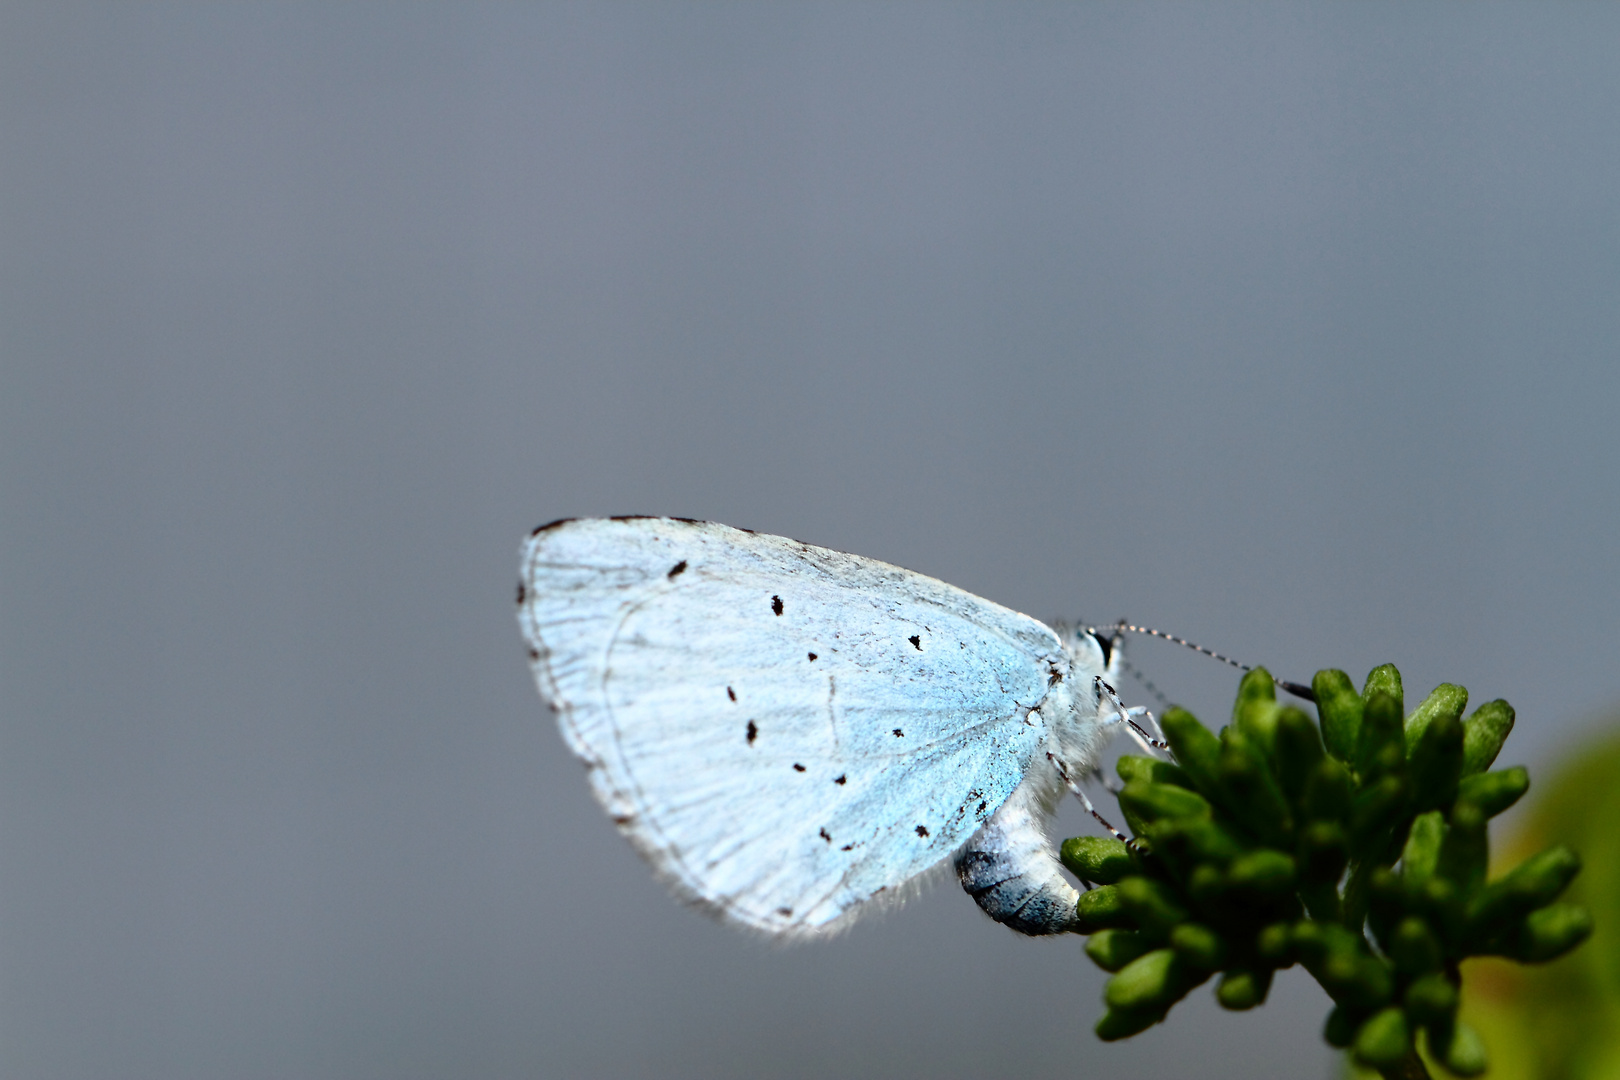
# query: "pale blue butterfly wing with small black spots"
[[783, 731]]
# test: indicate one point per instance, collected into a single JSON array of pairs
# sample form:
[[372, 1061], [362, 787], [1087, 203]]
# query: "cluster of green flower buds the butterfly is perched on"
[[1289, 841]]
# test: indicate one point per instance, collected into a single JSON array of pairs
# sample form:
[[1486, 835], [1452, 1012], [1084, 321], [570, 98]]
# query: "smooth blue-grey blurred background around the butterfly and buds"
[[1292, 330]]
